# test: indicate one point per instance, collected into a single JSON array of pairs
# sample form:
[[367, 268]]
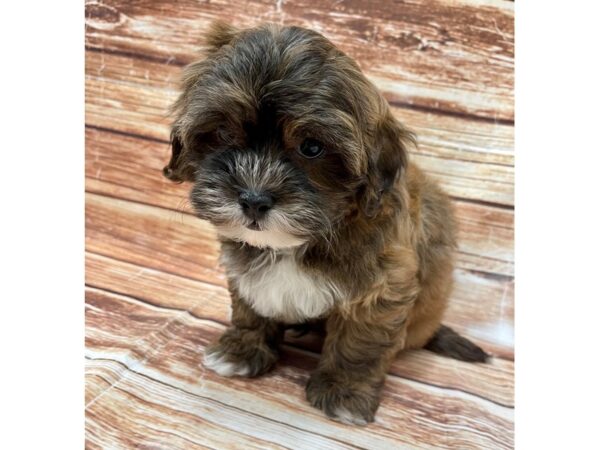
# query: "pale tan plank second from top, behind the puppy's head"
[[472, 160]]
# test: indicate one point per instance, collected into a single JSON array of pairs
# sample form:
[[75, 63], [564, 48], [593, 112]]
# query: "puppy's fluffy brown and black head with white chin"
[[282, 136]]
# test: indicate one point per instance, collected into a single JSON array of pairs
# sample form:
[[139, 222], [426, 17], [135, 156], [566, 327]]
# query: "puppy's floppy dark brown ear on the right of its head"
[[387, 158]]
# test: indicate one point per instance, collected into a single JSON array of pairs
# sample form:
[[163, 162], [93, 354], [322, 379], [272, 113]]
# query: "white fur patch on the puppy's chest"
[[279, 288]]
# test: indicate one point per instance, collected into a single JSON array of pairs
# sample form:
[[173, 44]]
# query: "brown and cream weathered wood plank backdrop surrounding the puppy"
[[155, 295]]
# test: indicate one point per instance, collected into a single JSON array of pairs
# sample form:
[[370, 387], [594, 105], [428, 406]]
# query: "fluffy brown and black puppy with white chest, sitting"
[[298, 162]]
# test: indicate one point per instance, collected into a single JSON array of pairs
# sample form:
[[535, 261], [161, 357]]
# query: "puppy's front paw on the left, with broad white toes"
[[240, 353]]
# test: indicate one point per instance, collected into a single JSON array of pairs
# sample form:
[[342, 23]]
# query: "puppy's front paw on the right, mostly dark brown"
[[350, 402]]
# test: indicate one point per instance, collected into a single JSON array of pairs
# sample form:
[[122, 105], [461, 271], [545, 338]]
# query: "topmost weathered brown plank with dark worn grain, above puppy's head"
[[439, 54]]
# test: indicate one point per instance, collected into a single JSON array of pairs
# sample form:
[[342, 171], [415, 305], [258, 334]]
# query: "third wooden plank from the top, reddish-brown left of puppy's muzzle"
[[112, 161]]
